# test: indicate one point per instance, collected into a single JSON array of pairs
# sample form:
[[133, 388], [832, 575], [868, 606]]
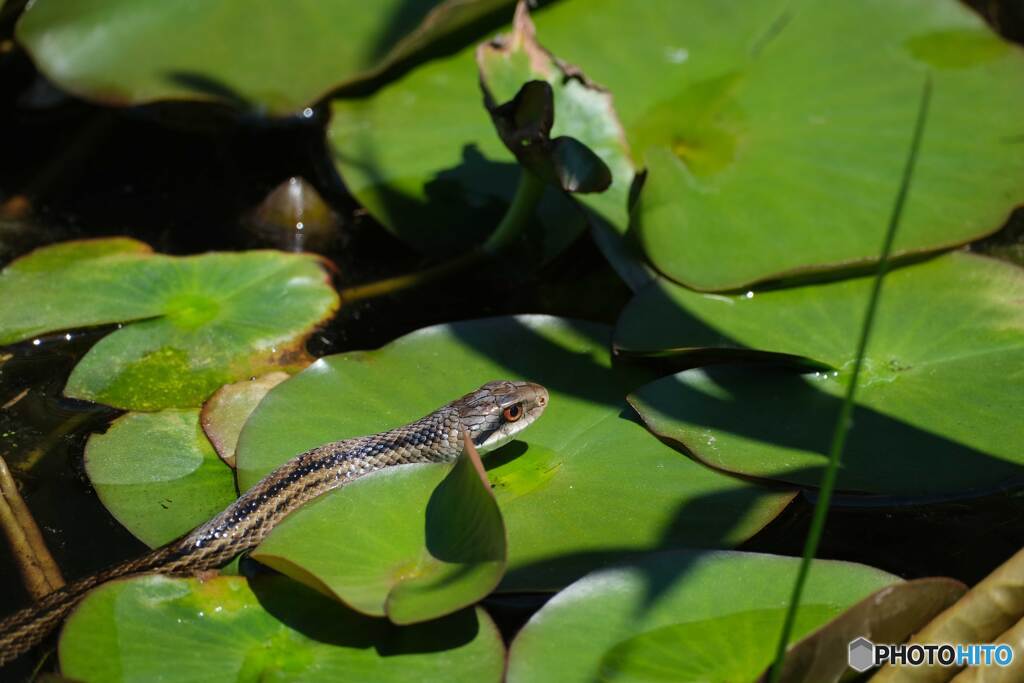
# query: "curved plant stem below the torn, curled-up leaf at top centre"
[[509, 230]]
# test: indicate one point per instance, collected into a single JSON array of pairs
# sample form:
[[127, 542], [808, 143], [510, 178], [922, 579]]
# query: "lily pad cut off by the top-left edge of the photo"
[[125, 53]]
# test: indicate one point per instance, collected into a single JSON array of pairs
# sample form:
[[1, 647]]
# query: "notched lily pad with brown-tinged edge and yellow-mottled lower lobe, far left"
[[197, 322]]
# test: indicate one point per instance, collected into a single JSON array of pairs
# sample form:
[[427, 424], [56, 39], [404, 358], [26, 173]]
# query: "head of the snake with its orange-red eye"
[[498, 411]]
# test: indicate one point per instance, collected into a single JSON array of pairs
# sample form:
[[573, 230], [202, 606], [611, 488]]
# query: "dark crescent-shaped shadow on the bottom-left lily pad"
[[330, 623]]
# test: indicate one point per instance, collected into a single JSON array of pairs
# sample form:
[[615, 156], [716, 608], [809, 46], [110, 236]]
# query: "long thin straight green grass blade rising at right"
[[846, 412]]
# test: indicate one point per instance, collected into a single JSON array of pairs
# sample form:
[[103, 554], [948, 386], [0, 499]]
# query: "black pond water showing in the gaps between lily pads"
[[185, 180]]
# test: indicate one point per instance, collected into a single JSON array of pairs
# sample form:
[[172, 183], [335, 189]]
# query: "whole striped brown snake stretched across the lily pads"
[[489, 417]]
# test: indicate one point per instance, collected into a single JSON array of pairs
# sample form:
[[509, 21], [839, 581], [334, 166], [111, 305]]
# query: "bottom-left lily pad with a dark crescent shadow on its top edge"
[[271, 629]]
